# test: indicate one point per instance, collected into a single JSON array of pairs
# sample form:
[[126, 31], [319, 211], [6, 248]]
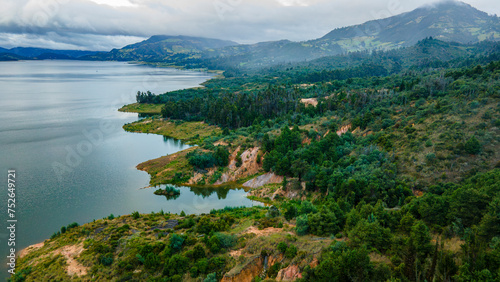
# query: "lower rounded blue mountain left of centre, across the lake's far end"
[[164, 48]]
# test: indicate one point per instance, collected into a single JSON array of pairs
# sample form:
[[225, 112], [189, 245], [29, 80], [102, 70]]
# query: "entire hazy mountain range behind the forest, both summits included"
[[449, 21]]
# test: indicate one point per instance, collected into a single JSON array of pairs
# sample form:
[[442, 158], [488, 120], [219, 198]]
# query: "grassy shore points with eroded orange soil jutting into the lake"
[[162, 169]]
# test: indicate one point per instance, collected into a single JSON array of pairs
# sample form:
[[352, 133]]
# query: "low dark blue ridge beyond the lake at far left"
[[31, 53]]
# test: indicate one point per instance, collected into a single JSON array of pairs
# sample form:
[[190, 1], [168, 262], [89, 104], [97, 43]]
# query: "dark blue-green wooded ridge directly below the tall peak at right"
[[427, 53]]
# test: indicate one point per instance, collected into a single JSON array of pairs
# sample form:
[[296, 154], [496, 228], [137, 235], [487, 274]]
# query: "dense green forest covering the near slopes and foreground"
[[408, 191]]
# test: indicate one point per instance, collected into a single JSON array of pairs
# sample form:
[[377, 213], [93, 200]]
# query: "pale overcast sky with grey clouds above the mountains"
[[107, 24]]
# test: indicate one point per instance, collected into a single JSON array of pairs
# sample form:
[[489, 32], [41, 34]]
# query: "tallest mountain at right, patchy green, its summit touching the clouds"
[[447, 21]]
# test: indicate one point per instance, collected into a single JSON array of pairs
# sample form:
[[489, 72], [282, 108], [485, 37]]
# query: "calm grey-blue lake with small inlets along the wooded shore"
[[61, 132]]
